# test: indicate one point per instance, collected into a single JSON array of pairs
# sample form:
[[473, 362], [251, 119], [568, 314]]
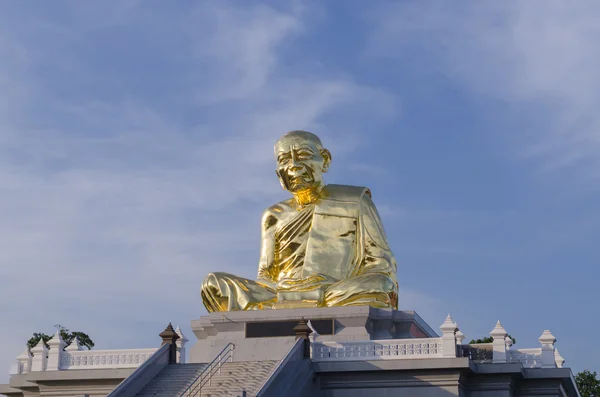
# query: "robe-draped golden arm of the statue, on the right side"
[[377, 255]]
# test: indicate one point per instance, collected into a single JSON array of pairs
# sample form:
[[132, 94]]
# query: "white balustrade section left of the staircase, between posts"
[[96, 359]]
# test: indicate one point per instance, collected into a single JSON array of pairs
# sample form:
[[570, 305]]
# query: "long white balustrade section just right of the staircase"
[[392, 349]]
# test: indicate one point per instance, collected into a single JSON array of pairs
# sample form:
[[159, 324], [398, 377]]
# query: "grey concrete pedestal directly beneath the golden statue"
[[216, 330]]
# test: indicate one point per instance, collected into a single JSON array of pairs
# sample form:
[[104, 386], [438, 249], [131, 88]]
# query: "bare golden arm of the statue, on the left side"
[[267, 272]]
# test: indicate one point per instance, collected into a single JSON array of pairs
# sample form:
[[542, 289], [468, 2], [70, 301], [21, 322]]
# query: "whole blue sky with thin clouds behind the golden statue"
[[136, 155]]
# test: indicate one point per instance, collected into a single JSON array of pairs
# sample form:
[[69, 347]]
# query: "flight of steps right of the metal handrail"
[[236, 377]]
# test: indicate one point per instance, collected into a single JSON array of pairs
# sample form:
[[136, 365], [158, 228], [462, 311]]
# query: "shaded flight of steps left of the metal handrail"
[[172, 380]]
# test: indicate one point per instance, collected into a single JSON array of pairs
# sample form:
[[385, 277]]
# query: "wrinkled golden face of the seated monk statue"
[[300, 163]]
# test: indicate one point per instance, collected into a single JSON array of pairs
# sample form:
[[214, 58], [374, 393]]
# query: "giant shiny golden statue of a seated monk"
[[325, 246]]
